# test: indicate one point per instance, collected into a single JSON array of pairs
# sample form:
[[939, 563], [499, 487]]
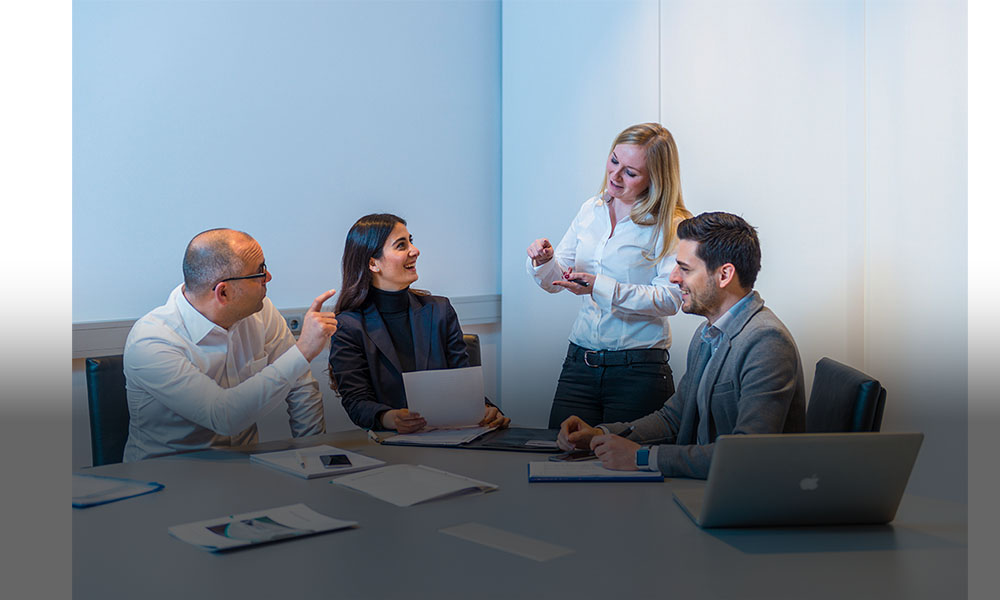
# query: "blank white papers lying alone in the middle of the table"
[[406, 485]]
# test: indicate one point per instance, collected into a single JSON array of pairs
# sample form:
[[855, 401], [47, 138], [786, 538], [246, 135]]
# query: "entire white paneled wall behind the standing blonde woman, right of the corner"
[[836, 127]]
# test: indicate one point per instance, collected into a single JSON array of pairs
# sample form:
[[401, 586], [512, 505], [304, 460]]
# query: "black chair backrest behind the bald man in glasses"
[[108, 407]]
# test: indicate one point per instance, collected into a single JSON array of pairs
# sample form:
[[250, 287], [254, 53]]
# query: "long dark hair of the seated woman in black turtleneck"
[[364, 242]]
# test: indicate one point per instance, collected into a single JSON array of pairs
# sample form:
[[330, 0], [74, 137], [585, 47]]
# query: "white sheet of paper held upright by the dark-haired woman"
[[446, 397]]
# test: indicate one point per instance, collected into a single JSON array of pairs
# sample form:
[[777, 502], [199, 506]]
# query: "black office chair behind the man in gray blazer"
[[844, 399]]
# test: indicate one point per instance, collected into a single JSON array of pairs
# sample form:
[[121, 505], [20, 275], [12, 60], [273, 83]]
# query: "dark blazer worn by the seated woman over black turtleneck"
[[366, 367]]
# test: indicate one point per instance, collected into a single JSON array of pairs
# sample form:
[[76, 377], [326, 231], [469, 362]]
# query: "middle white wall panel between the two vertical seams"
[[766, 100]]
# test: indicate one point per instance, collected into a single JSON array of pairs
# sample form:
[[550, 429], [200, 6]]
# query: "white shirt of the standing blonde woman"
[[632, 295]]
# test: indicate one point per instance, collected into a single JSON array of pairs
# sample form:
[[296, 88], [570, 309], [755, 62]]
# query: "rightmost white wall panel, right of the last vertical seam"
[[916, 311]]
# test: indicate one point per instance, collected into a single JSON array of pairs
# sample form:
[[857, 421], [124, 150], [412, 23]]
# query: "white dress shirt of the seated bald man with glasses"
[[192, 384]]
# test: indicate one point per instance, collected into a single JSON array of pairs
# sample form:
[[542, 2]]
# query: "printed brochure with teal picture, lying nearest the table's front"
[[258, 527]]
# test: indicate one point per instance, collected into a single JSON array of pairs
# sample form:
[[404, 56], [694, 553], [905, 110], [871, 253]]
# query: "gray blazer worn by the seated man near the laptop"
[[754, 385]]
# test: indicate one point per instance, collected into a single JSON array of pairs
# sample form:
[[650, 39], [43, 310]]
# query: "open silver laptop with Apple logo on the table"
[[803, 479]]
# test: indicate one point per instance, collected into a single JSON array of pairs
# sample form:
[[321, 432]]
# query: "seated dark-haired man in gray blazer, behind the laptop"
[[744, 374]]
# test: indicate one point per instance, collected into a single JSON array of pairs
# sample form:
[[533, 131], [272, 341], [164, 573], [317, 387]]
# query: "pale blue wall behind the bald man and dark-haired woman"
[[288, 120]]
